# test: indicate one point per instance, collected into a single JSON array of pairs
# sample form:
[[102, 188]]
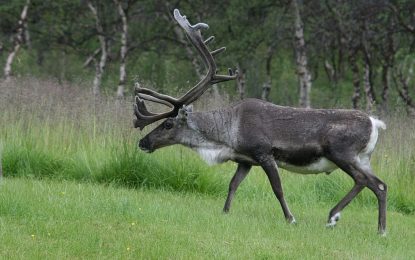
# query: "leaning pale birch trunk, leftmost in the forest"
[[18, 40]]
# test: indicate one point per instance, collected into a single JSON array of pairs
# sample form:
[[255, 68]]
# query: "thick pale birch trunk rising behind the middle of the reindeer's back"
[[301, 58]]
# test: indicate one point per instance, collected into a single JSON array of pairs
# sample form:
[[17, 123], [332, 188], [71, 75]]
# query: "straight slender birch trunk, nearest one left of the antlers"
[[123, 51]]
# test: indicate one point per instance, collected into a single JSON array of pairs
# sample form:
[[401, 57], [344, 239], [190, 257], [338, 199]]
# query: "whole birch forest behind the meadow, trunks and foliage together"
[[307, 53]]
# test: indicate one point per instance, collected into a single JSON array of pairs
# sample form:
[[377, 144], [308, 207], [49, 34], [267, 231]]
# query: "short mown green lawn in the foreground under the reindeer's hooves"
[[69, 220]]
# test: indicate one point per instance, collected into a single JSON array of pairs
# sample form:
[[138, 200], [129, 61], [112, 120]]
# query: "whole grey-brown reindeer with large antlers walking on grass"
[[257, 133]]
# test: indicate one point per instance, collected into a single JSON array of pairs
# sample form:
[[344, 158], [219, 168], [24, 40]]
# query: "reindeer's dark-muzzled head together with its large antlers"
[[172, 130]]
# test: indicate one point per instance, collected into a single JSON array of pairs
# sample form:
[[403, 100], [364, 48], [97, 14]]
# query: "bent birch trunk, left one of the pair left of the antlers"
[[99, 66]]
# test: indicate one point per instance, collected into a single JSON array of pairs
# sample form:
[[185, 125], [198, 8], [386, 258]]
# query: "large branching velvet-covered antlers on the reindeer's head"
[[144, 117]]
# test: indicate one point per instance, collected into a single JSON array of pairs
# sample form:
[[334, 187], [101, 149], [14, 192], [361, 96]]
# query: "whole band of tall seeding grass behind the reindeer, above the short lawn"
[[50, 130]]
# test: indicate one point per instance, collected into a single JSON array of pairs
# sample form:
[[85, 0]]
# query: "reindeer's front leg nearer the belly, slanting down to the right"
[[271, 169]]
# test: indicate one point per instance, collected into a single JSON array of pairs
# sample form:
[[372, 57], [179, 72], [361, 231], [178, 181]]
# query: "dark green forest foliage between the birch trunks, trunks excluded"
[[63, 36]]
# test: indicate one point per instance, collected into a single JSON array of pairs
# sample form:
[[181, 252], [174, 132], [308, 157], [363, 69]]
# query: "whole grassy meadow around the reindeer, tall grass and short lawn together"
[[76, 186]]
